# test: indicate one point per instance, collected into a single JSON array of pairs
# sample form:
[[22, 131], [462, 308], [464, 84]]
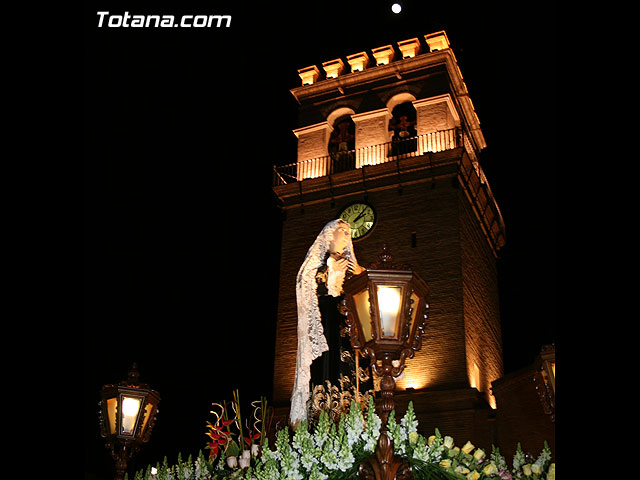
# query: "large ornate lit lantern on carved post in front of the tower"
[[385, 308]]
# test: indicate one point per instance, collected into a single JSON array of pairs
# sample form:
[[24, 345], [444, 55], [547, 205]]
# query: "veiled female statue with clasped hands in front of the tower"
[[318, 290]]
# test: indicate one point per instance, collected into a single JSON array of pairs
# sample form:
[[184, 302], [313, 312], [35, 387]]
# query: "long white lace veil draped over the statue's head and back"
[[311, 340]]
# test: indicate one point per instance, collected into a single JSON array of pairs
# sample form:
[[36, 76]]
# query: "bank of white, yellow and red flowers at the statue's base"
[[333, 451]]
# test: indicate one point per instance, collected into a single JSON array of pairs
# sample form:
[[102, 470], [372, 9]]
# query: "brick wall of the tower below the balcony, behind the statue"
[[443, 255]]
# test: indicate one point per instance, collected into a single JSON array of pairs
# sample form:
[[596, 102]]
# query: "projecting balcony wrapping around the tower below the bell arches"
[[432, 157]]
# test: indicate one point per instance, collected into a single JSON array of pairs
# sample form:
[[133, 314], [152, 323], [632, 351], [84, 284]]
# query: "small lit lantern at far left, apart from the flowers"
[[127, 415]]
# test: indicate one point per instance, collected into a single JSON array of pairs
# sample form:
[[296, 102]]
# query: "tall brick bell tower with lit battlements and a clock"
[[388, 139]]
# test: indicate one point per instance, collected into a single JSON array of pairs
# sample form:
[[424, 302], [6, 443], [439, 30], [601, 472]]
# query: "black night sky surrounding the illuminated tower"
[[182, 232]]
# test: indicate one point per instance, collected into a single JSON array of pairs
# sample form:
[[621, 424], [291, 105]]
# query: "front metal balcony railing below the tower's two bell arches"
[[344, 160]]
